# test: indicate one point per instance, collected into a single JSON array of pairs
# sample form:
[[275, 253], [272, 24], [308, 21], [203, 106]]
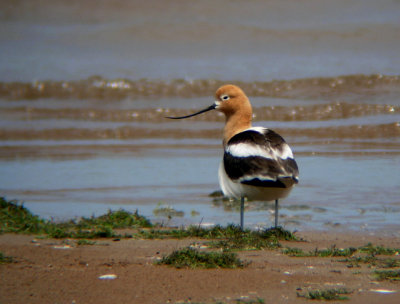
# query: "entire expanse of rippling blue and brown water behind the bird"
[[73, 144]]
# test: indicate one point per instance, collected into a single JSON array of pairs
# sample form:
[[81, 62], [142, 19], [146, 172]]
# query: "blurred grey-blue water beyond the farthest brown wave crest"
[[240, 40]]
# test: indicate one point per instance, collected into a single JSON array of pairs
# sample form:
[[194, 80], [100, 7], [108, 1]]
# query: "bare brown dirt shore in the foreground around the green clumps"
[[48, 271]]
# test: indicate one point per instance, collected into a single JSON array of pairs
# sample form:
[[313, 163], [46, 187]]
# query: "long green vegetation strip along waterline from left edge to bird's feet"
[[16, 218]]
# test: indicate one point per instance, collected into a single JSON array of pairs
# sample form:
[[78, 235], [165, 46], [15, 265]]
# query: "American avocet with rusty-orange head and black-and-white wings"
[[258, 164]]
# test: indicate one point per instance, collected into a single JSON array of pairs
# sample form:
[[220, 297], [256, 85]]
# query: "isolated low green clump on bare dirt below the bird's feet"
[[191, 258]]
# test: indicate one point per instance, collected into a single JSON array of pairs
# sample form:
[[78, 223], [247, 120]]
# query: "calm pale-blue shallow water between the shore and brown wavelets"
[[357, 191]]
